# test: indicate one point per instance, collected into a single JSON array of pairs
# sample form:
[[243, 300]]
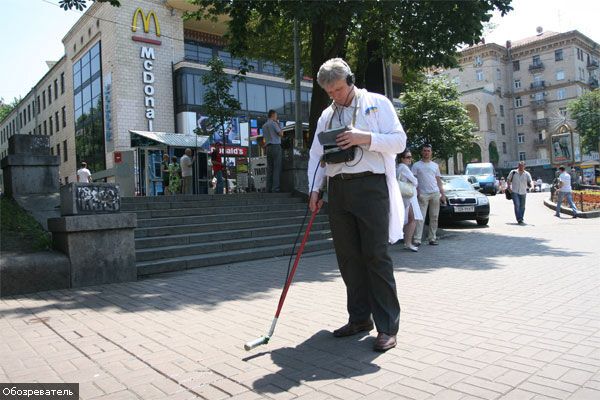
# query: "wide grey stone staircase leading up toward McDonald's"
[[190, 231]]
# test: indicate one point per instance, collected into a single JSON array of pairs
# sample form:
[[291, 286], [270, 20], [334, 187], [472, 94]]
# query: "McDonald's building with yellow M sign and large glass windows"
[[138, 67]]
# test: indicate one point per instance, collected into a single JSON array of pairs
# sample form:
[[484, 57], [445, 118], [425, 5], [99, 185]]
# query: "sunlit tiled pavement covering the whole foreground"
[[505, 311]]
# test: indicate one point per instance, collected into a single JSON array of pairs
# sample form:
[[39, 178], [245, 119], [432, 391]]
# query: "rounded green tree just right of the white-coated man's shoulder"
[[432, 113]]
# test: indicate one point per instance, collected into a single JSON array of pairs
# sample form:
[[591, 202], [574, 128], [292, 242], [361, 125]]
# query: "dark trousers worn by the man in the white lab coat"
[[359, 216]]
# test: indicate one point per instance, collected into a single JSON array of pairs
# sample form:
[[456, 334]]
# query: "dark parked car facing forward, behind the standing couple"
[[463, 202]]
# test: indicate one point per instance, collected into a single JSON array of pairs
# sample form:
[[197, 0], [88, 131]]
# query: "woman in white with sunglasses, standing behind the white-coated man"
[[412, 210]]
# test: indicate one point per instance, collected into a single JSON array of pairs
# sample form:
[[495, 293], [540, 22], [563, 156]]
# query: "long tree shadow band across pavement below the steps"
[[205, 288]]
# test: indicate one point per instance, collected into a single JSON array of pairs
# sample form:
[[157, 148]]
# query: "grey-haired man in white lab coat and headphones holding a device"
[[365, 206]]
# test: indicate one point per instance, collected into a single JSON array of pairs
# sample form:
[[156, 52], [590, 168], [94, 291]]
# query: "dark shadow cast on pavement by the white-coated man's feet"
[[320, 358]]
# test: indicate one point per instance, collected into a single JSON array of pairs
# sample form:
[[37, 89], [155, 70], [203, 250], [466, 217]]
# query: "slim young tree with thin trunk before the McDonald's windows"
[[219, 104]]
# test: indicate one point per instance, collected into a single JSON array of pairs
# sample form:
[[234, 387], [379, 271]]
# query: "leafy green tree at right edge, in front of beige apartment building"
[[585, 110]]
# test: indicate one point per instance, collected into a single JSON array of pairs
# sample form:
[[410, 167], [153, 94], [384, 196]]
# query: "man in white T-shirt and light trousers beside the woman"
[[430, 194]]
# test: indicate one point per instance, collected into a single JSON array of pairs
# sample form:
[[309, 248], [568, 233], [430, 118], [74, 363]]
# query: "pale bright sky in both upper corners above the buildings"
[[31, 33]]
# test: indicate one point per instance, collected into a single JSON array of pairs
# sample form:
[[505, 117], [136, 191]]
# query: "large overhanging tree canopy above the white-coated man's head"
[[414, 34]]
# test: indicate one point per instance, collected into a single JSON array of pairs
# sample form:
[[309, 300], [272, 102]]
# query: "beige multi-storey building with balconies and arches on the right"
[[517, 95]]
